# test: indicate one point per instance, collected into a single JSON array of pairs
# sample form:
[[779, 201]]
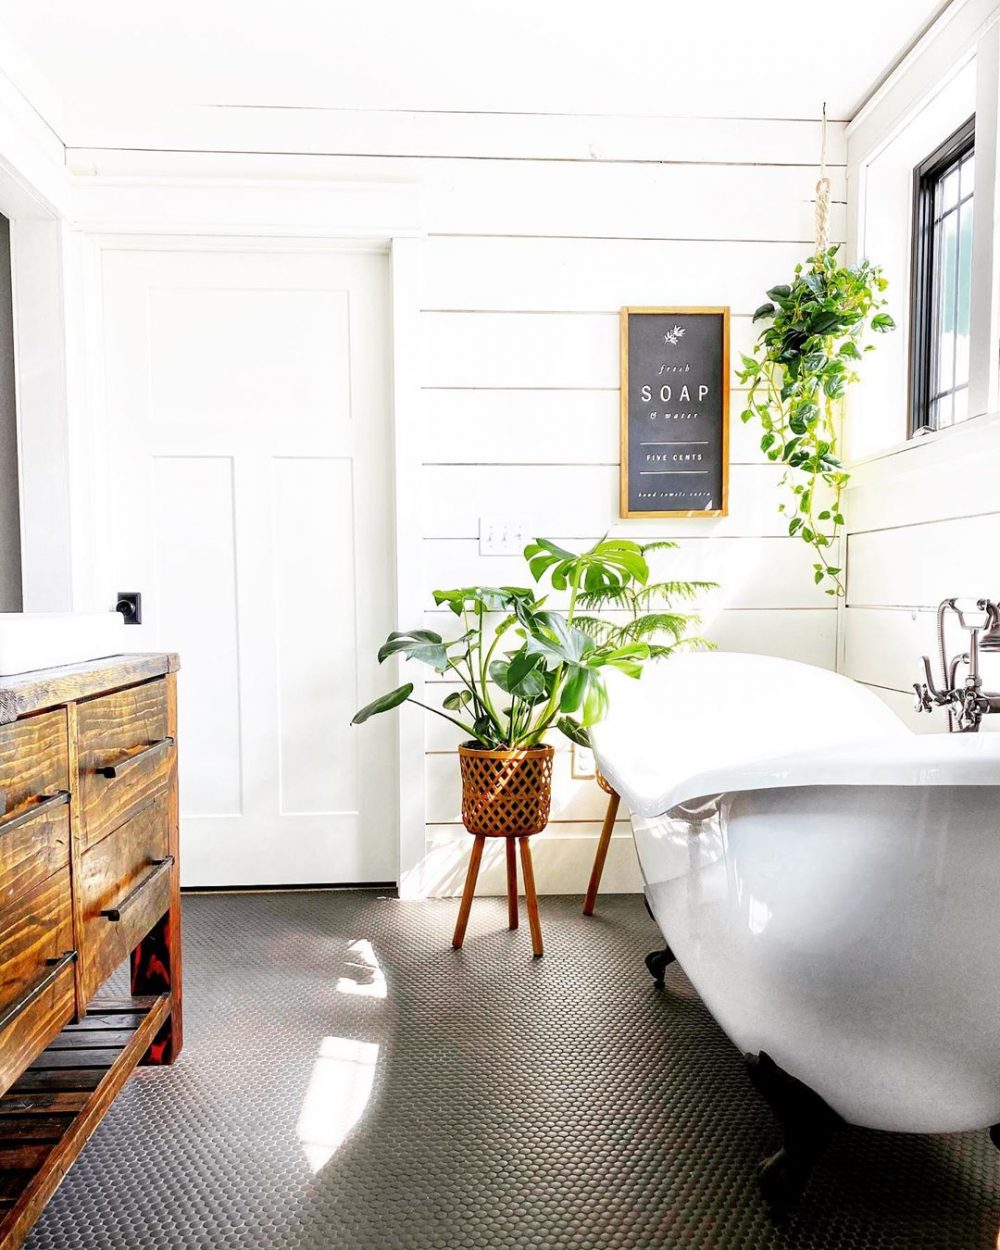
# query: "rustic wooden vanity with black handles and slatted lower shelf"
[[89, 878]]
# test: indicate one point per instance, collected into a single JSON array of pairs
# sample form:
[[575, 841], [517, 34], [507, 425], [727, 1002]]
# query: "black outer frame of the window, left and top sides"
[[928, 177]]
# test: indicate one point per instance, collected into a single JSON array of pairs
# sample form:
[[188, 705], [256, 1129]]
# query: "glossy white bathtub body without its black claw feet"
[[829, 881]]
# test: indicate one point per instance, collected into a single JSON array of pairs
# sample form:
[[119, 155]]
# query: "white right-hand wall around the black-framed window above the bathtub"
[[924, 514]]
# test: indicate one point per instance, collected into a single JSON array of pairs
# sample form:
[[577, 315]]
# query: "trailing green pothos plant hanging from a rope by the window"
[[798, 376]]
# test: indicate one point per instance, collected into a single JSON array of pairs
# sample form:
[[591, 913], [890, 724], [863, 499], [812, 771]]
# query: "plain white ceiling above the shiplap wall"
[[662, 58]]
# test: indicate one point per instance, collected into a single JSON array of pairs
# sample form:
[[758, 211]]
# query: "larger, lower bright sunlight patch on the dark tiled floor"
[[337, 1097]]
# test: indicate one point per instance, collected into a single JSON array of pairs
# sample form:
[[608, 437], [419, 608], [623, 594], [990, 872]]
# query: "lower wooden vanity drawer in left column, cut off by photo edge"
[[37, 983]]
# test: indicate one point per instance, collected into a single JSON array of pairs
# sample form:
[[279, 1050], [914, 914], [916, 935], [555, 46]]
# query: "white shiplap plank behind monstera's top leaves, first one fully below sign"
[[753, 573]]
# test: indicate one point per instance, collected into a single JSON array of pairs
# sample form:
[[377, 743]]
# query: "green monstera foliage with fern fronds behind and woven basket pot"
[[523, 669]]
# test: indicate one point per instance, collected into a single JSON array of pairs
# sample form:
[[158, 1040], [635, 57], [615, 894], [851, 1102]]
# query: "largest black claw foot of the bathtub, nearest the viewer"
[[808, 1124]]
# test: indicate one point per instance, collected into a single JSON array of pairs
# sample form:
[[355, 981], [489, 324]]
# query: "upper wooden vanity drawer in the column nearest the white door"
[[126, 757]]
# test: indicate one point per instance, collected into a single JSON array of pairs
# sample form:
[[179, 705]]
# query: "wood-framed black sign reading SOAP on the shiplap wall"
[[674, 412]]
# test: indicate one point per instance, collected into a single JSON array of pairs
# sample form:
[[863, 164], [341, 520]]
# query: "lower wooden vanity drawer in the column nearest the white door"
[[124, 889]]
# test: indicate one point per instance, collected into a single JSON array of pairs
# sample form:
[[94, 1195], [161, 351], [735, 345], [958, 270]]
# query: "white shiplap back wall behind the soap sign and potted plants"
[[538, 232]]
